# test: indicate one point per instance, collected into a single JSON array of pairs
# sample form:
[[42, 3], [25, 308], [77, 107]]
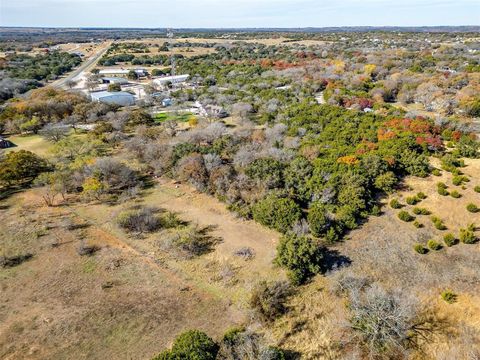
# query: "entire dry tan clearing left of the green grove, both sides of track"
[[128, 300]]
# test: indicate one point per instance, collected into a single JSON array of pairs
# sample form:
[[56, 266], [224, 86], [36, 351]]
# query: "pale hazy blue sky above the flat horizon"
[[237, 13]]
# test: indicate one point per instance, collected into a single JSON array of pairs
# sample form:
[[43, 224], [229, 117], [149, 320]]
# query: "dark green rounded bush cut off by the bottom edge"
[[191, 345]]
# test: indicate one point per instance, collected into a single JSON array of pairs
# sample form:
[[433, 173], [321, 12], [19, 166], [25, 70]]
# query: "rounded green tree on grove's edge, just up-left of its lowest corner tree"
[[277, 213]]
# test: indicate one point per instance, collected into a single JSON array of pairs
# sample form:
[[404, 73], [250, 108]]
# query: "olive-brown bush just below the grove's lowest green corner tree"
[[268, 300]]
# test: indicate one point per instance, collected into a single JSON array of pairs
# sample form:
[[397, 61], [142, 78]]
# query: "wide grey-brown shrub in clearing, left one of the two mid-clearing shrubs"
[[140, 220]]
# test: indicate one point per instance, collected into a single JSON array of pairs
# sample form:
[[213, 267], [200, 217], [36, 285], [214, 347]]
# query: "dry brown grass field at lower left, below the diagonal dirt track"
[[118, 303]]
